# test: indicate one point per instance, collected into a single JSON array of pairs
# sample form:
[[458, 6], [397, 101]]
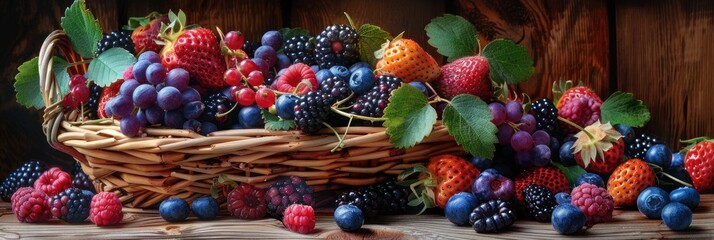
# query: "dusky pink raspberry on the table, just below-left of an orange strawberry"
[[594, 201]]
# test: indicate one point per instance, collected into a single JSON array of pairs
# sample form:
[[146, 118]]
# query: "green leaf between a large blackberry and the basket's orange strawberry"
[[371, 38]]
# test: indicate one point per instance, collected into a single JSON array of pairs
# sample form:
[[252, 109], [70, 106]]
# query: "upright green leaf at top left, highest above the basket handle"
[[82, 29]]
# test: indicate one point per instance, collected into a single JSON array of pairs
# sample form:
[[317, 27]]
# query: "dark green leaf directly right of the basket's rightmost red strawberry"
[[508, 61]]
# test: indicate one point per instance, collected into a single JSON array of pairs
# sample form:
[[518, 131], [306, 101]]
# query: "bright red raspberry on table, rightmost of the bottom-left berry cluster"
[[105, 209]]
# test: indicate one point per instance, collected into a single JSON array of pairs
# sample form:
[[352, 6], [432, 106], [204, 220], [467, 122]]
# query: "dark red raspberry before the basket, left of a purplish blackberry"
[[247, 202]]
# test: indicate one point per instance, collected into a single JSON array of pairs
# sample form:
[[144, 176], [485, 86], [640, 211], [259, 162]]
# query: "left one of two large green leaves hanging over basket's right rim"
[[409, 116]]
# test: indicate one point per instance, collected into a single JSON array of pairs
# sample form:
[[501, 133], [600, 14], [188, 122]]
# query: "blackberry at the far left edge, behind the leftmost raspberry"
[[24, 176]]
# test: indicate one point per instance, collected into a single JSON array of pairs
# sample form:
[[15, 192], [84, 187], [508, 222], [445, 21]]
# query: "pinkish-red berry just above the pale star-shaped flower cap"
[[581, 110]]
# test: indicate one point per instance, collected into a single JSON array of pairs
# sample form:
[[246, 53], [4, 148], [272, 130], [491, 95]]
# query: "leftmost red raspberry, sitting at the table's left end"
[[30, 205]]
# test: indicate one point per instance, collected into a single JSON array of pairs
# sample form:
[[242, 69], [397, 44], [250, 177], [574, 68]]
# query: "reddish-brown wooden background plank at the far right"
[[664, 57]]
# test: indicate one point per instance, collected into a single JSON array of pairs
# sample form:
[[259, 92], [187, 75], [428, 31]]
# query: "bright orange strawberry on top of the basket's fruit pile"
[[405, 59]]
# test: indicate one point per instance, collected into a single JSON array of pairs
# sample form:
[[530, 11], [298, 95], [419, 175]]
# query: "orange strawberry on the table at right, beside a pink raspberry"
[[629, 180]]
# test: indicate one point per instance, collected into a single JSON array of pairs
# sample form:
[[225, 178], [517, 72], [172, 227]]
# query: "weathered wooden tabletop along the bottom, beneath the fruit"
[[626, 224]]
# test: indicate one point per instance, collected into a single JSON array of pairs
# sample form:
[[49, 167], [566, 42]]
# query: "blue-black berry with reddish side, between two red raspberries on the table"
[[71, 205]]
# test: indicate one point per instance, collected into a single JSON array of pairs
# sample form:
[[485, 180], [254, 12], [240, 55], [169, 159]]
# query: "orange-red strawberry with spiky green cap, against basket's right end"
[[444, 176]]
